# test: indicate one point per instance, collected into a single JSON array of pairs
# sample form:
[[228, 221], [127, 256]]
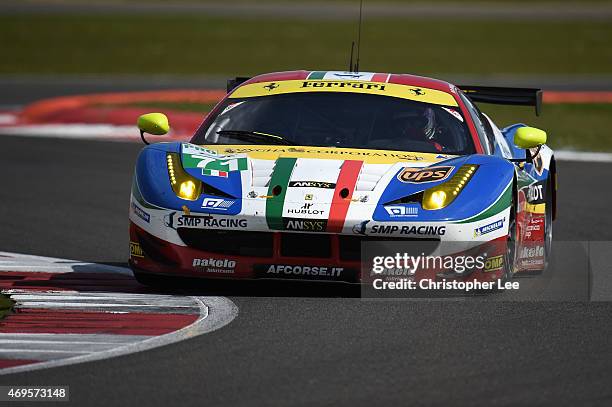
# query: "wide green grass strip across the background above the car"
[[158, 44]]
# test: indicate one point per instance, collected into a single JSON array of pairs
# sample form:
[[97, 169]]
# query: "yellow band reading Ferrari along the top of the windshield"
[[425, 95]]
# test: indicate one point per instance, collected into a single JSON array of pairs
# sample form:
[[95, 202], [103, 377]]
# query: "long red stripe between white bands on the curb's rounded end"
[[79, 322]]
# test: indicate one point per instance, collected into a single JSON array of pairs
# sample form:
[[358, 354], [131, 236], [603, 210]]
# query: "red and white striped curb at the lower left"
[[70, 312]]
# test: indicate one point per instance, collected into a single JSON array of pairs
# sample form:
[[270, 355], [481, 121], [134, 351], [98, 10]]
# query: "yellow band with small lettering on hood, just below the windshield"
[[262, 152]]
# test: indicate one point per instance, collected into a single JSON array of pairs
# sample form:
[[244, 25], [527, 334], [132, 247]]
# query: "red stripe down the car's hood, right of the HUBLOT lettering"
[[339, 207]]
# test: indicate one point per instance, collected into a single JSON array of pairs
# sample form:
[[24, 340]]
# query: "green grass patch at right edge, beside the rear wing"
[[569, 126]]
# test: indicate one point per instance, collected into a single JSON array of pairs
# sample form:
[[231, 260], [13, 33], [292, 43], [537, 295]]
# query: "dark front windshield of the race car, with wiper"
[[338, 120]]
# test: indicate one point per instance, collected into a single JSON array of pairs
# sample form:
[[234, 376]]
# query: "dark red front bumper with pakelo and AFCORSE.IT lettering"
[[275, 255]]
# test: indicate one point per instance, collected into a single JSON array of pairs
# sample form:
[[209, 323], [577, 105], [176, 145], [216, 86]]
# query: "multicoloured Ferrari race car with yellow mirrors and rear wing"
[[292, 172]]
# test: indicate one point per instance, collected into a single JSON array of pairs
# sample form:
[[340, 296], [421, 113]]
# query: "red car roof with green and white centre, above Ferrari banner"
[[400, 79]]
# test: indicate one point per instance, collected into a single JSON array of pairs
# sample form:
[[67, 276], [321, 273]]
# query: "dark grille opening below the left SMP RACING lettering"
[[253, 244]]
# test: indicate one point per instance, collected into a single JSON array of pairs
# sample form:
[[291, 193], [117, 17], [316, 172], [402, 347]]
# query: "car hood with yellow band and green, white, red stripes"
[[302, 174]]
